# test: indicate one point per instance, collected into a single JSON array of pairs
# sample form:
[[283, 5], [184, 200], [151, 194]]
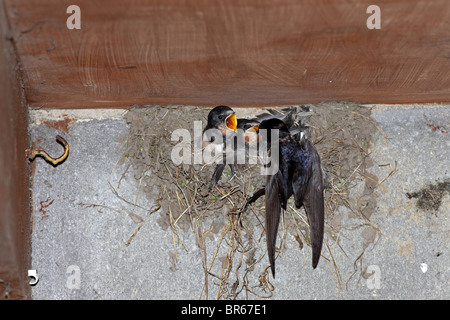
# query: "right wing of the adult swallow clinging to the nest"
[[314, 204]]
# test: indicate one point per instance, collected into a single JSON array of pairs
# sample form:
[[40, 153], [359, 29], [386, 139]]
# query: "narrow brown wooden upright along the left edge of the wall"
[[14, 174]]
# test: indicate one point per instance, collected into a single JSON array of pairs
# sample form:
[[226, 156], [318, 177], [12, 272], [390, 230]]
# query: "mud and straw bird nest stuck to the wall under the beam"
[[342, 134]]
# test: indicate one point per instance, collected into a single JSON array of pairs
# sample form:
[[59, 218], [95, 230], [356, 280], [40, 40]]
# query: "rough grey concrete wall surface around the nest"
[[95, 235]]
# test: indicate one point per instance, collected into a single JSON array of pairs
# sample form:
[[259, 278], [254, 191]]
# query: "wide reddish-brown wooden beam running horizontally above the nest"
[[240, 53]]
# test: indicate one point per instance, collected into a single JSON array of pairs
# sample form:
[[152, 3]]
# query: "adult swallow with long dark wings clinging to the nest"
[[299, 174]]
